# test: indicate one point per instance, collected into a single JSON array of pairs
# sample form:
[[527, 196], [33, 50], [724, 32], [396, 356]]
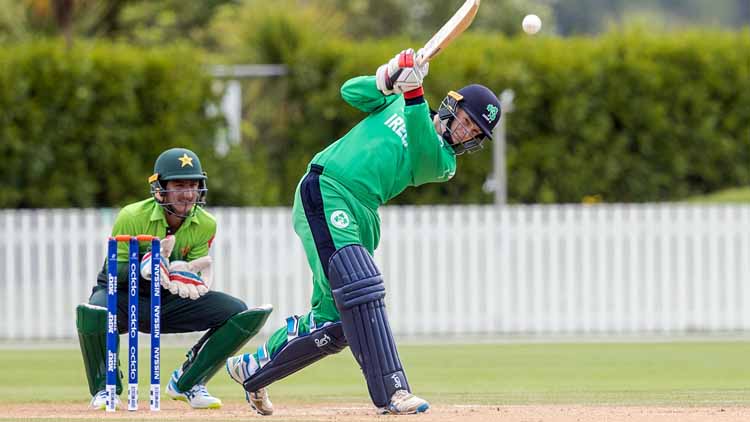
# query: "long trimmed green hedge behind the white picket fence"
[[626, 116]]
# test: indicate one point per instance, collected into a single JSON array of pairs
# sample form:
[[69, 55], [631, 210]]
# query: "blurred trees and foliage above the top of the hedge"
[[164, 21]]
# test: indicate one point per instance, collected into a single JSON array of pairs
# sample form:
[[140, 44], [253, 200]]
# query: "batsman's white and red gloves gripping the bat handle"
[[401, 74]]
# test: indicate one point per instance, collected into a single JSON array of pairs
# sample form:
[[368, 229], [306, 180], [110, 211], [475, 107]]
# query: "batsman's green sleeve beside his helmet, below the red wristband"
[[432, 158]]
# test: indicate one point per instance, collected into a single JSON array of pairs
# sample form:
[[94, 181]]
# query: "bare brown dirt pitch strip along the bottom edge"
[[360, 413]]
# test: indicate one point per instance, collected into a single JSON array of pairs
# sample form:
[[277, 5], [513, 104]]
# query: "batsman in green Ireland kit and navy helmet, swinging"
[[400, 143]]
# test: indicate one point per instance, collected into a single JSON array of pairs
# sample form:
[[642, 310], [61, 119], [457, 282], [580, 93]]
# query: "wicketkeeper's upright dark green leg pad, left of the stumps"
[[91, 324]]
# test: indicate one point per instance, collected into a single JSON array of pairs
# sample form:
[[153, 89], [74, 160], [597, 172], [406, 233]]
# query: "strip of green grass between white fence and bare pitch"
[[679, 373]]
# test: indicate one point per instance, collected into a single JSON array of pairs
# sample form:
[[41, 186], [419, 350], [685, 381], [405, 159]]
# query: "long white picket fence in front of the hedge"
[[570, 269]]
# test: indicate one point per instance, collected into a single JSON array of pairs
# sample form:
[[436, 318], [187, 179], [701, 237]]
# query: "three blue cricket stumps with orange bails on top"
[[112, 331]]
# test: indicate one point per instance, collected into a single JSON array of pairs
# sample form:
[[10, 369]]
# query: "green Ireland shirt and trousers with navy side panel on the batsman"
[[394, 147]]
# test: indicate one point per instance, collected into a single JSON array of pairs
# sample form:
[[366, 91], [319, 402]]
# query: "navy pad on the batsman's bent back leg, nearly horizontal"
[[297, 353]]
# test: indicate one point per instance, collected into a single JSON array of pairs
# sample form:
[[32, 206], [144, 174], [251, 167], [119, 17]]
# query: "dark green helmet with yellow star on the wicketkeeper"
[[177, 164]]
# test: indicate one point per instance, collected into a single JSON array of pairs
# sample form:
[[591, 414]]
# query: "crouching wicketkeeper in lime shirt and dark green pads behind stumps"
[[174, 213]]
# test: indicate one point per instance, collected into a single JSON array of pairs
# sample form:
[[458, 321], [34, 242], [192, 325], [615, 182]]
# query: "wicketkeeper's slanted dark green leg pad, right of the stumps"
[[212, 351]]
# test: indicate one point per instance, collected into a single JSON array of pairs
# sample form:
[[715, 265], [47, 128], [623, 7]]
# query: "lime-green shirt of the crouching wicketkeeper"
[[192, 239]]
